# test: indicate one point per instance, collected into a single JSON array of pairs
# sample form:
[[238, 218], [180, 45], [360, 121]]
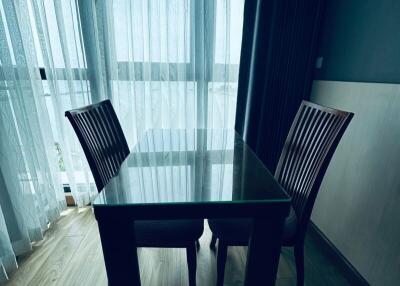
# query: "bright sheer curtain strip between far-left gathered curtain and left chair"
[[59, 45]]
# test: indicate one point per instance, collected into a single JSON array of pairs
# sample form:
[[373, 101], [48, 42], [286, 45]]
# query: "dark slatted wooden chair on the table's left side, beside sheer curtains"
[[104, 144]]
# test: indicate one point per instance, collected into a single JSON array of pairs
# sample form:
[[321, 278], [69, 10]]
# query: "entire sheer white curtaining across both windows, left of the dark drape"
[[163, 63]]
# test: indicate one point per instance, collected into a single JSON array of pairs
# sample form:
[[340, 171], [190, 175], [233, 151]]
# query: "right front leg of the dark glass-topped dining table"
[[264, 251]]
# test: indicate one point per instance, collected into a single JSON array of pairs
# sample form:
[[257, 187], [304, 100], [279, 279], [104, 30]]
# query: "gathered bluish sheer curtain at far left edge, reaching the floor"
[[31, 192]]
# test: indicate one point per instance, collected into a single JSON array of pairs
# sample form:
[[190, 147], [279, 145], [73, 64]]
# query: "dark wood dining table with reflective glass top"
[[187, 174]]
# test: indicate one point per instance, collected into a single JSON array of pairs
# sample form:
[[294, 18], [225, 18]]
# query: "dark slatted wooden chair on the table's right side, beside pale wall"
[[311, 142]]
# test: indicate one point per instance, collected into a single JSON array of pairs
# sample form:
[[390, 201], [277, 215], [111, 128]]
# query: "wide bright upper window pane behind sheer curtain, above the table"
[[162, 30]]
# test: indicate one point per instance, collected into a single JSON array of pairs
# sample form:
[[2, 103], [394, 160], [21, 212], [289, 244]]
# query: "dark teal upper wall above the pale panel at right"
[[360, 41]]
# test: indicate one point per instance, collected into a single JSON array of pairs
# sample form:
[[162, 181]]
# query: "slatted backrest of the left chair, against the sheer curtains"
[[102, 139]]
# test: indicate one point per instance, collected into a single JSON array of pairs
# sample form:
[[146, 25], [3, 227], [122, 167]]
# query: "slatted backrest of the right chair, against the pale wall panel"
[[311, 142]]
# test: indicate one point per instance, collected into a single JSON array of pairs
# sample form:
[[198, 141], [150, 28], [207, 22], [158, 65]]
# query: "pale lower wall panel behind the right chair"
[[358, 207]]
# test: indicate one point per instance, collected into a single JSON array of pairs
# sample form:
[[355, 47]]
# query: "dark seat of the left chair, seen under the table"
[[168, 233]]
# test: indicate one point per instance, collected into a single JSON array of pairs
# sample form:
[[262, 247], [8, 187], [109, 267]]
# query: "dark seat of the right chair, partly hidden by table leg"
[[237, 231]]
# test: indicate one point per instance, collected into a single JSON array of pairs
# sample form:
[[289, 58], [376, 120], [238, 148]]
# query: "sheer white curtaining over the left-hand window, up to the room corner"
[[38, 150]]
